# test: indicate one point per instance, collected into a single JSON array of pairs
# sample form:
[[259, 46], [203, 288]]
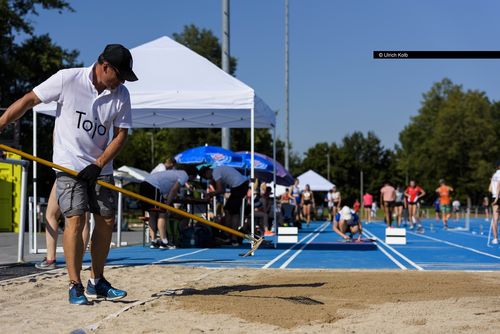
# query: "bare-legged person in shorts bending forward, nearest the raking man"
[[163, 187]]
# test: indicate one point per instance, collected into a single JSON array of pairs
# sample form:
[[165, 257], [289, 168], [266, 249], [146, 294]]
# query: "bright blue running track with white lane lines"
[[320, 248]]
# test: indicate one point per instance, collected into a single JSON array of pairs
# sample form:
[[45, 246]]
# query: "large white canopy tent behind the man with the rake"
[[177, 88]]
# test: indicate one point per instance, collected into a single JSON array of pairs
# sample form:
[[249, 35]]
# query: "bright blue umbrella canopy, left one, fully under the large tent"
[[214, 155]]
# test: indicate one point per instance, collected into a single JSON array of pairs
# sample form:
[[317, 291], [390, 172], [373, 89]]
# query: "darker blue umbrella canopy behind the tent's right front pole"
[[264, 168]]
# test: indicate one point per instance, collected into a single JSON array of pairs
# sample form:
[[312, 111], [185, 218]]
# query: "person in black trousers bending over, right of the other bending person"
[[228, 177]]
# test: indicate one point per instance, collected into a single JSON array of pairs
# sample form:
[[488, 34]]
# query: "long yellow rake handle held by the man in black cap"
[[132, 194]]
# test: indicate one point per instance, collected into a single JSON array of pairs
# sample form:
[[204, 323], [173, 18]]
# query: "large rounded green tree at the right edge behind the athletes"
[[452, 137]]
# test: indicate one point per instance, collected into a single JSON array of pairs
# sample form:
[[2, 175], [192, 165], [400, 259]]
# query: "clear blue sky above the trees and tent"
[[335, 85]]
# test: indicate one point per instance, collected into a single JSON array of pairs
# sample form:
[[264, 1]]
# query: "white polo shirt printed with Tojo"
[[84, 118]]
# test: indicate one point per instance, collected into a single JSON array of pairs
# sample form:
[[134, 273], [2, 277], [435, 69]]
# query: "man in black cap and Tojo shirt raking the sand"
[[92, 120]]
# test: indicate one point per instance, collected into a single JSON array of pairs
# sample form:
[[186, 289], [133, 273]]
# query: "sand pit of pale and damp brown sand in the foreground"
[[166, 299]]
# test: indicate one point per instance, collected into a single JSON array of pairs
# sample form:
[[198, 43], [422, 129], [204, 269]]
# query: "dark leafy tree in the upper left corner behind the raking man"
[[24, 65]]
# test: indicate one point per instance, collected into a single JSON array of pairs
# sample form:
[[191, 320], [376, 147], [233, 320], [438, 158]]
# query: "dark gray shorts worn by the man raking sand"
[[74, 198]]
